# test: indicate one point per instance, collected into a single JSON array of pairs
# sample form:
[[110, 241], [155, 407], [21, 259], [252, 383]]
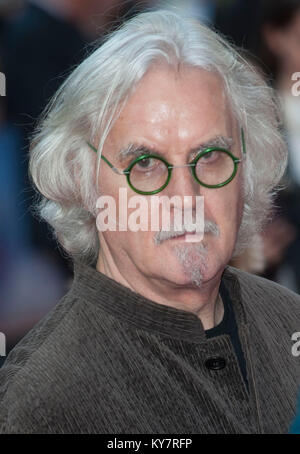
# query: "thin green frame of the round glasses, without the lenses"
[[170, 167]]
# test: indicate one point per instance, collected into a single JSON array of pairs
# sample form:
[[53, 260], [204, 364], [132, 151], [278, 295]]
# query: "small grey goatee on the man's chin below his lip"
[[193, 259]]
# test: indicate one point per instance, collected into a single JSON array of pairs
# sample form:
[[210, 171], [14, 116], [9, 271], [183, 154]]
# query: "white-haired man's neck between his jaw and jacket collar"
[[204, 302]]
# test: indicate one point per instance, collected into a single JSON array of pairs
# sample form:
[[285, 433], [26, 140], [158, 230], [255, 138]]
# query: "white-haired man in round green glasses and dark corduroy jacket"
[[157, 334]]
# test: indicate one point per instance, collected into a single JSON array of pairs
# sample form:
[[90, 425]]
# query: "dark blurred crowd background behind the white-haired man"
[[41, 41]]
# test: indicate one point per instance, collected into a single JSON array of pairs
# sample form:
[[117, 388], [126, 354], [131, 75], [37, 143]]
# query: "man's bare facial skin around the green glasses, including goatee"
[[173, 113]]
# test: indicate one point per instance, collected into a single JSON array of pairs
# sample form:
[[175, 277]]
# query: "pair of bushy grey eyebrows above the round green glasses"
[[135, 150]]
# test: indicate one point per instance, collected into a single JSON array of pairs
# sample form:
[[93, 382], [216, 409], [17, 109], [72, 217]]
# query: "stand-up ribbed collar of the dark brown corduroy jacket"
[[121, 302]]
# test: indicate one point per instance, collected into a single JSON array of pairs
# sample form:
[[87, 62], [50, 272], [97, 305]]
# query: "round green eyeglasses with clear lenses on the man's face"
[[149, 174]]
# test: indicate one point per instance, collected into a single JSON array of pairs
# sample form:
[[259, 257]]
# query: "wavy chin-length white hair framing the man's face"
[[62, 166]]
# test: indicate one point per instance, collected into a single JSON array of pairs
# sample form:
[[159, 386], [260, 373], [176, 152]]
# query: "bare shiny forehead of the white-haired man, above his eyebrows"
[[174, 108]]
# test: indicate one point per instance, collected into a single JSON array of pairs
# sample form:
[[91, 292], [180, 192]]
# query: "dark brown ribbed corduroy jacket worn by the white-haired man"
[[106, 360]]
